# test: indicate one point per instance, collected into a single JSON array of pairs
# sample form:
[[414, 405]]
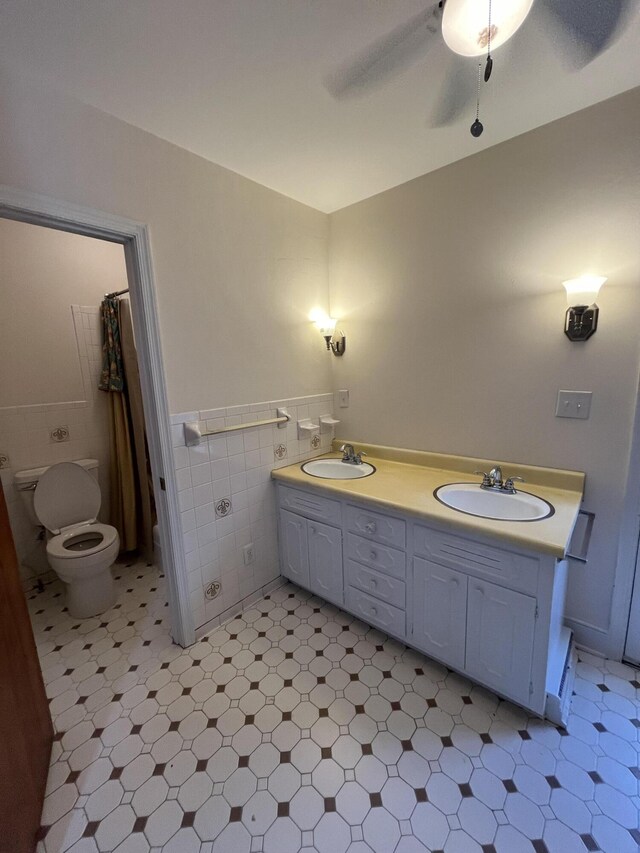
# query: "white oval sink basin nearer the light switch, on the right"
[[472, 500]]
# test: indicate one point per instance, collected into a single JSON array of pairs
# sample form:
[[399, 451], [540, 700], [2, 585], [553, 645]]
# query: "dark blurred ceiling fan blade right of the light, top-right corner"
[[587, 27]]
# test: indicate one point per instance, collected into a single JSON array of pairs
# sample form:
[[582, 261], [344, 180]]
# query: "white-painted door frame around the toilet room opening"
[[37, 209]]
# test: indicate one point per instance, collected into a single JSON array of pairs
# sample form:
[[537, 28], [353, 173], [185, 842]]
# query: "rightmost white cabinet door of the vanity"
[[500, 634]]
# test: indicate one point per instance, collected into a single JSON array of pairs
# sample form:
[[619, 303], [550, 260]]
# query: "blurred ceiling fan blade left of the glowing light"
[[387, 56]]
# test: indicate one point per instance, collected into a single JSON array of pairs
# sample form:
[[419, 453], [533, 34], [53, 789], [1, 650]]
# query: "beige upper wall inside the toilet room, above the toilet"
[[44, 273]]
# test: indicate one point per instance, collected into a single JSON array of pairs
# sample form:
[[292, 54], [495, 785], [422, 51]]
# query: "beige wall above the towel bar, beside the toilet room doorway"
[[238, 267]]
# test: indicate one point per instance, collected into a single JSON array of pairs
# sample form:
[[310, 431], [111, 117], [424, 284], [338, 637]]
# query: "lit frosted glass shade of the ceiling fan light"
[[465, 23]]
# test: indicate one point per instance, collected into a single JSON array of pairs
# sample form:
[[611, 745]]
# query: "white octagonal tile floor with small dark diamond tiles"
[[297, 727]]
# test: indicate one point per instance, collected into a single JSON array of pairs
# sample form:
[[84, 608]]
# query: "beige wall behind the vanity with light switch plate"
[[450, 289]]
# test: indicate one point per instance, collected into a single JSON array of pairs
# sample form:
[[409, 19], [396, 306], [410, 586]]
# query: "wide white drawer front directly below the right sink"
[[514, 570]]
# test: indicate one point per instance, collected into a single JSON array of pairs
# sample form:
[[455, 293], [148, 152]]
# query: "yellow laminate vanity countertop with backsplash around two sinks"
[[408, 486]]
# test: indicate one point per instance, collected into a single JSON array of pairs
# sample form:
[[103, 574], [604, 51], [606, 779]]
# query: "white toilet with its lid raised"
[[65, 498]]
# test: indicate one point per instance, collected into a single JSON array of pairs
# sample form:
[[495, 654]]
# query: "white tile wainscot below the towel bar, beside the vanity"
[[236, 467]]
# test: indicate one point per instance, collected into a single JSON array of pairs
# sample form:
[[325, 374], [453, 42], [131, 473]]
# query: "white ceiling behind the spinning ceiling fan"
[[240, 82]]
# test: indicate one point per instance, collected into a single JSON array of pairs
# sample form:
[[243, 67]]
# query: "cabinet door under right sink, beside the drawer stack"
[[439, 611]]
